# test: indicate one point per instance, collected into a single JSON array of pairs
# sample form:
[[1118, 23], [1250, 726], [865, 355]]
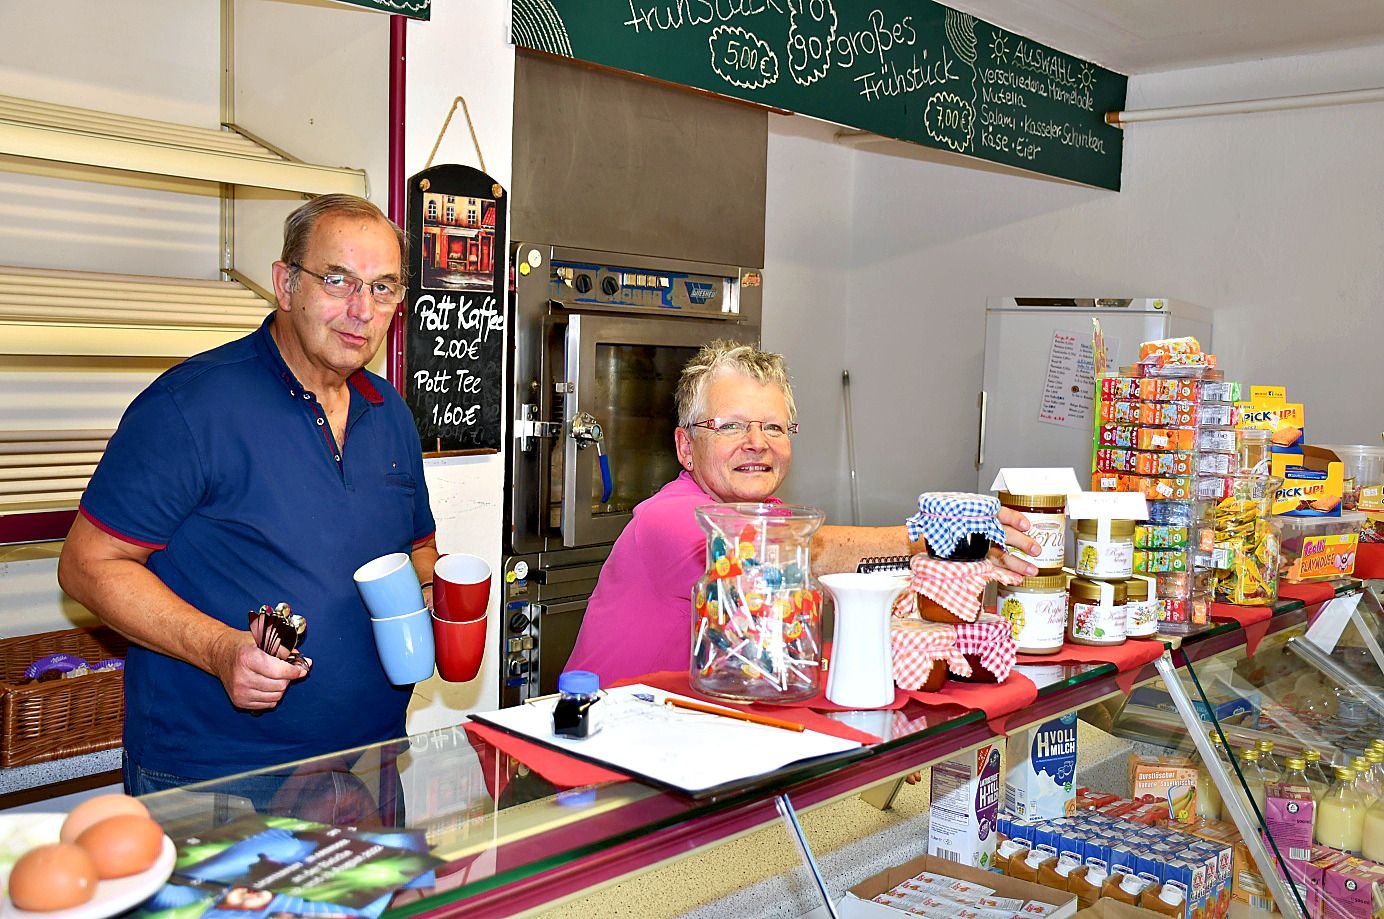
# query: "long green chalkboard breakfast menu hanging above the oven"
[[911, 70]]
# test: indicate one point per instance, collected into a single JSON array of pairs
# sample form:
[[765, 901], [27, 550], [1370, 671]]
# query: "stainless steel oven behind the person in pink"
[[599, 345]]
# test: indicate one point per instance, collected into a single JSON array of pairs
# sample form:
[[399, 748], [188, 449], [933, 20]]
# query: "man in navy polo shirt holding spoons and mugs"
[[261, 473]]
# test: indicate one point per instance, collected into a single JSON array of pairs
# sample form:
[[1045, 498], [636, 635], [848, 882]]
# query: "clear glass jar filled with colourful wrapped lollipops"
[[758, 611]]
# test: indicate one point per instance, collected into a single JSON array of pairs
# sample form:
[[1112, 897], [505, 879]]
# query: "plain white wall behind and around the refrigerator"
[[1273, 221]]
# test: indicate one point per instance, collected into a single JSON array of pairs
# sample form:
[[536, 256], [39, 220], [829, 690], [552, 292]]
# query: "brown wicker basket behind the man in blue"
[[53, 720]]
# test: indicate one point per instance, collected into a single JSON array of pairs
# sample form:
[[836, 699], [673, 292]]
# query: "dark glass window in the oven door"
[[633, 399]]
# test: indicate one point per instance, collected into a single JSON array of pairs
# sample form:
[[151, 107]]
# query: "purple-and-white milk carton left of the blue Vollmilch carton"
[[965, 808]]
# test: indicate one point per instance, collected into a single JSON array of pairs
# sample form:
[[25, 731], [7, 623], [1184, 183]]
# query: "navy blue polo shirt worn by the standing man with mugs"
[[228, 468]]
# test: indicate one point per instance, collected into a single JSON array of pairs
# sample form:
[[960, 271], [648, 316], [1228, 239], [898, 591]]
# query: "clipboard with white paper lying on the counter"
[[691, 752]]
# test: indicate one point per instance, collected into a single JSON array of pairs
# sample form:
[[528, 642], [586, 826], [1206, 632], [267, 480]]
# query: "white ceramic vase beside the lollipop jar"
[[862, 673]]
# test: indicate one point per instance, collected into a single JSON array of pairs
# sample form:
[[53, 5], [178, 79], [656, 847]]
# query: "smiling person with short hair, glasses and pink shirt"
[[734, 441]]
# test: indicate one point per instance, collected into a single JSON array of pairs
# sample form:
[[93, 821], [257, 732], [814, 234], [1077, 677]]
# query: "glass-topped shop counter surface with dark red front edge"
[[513, 841]]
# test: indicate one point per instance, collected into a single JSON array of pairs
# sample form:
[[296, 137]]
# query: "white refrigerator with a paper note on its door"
[[1037, 403]]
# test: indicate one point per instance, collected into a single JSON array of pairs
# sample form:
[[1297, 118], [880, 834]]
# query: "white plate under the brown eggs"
[[21, 832]]
